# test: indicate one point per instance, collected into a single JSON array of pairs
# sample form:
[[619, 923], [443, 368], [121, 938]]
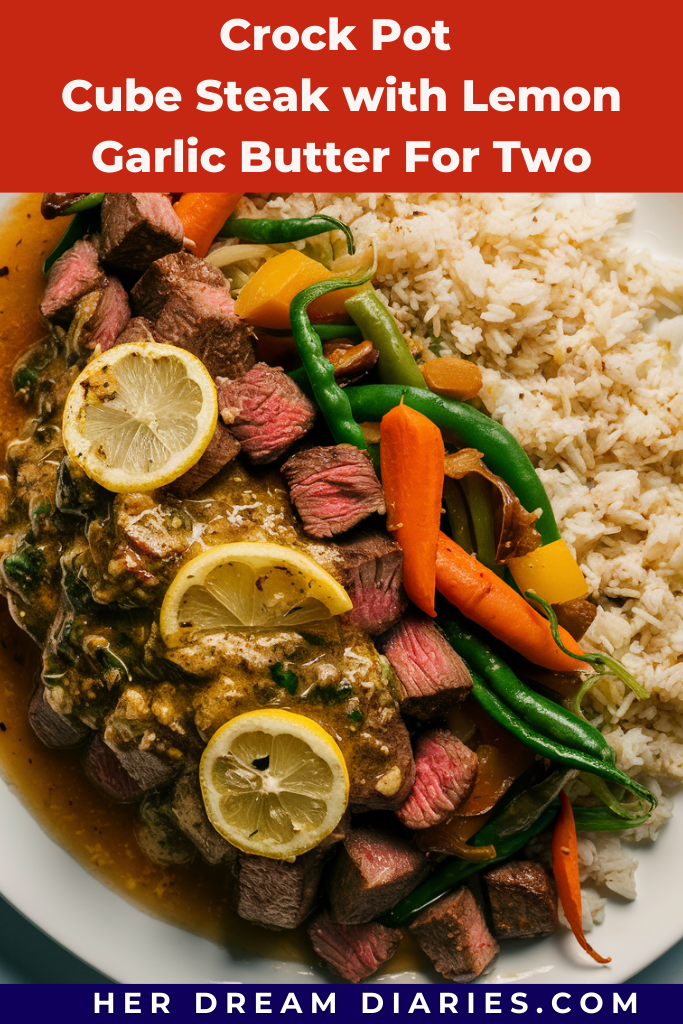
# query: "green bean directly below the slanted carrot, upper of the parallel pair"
[[554, 721]]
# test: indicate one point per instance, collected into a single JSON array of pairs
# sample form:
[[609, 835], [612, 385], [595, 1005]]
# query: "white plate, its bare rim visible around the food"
[[61, 898]]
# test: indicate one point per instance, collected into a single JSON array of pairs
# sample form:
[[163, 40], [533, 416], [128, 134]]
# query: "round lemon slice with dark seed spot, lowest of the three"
[[274, 783]]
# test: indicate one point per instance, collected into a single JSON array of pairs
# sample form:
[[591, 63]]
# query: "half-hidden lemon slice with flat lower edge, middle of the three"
[[248, 586]]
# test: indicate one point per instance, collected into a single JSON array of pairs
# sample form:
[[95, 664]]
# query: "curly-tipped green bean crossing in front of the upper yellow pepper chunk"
[[331, 400]]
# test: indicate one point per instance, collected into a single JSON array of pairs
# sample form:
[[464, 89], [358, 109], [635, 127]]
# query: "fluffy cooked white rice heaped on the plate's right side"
[[579, 338]]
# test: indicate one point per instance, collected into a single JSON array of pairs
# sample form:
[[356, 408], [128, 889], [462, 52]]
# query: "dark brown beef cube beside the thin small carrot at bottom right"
[[524, 903]]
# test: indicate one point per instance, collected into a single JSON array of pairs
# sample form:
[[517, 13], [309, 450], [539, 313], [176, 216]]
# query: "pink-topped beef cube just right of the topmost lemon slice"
[[266, 411]]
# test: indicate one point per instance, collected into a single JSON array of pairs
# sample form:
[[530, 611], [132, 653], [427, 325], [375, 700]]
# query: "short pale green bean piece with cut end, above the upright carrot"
[[396, 365]]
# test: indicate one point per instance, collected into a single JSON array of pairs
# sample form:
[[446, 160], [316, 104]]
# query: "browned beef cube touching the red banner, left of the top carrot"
[[138, 229]]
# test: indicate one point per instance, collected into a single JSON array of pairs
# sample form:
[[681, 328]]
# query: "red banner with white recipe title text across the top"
[[391, 97]]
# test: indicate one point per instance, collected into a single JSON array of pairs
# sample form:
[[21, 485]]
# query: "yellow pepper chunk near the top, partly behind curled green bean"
[[265, 302]]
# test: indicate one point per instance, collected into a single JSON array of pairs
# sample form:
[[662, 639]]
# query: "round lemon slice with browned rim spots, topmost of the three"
[[140, 416]]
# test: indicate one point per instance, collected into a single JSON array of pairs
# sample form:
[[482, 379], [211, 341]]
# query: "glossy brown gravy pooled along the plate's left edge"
[[98, 833]]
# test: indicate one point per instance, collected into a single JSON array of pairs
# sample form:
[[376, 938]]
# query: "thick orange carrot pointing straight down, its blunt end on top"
[[412, 460]]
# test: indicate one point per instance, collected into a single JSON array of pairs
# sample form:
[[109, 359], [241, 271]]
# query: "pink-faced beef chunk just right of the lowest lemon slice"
[[445, 775]]
